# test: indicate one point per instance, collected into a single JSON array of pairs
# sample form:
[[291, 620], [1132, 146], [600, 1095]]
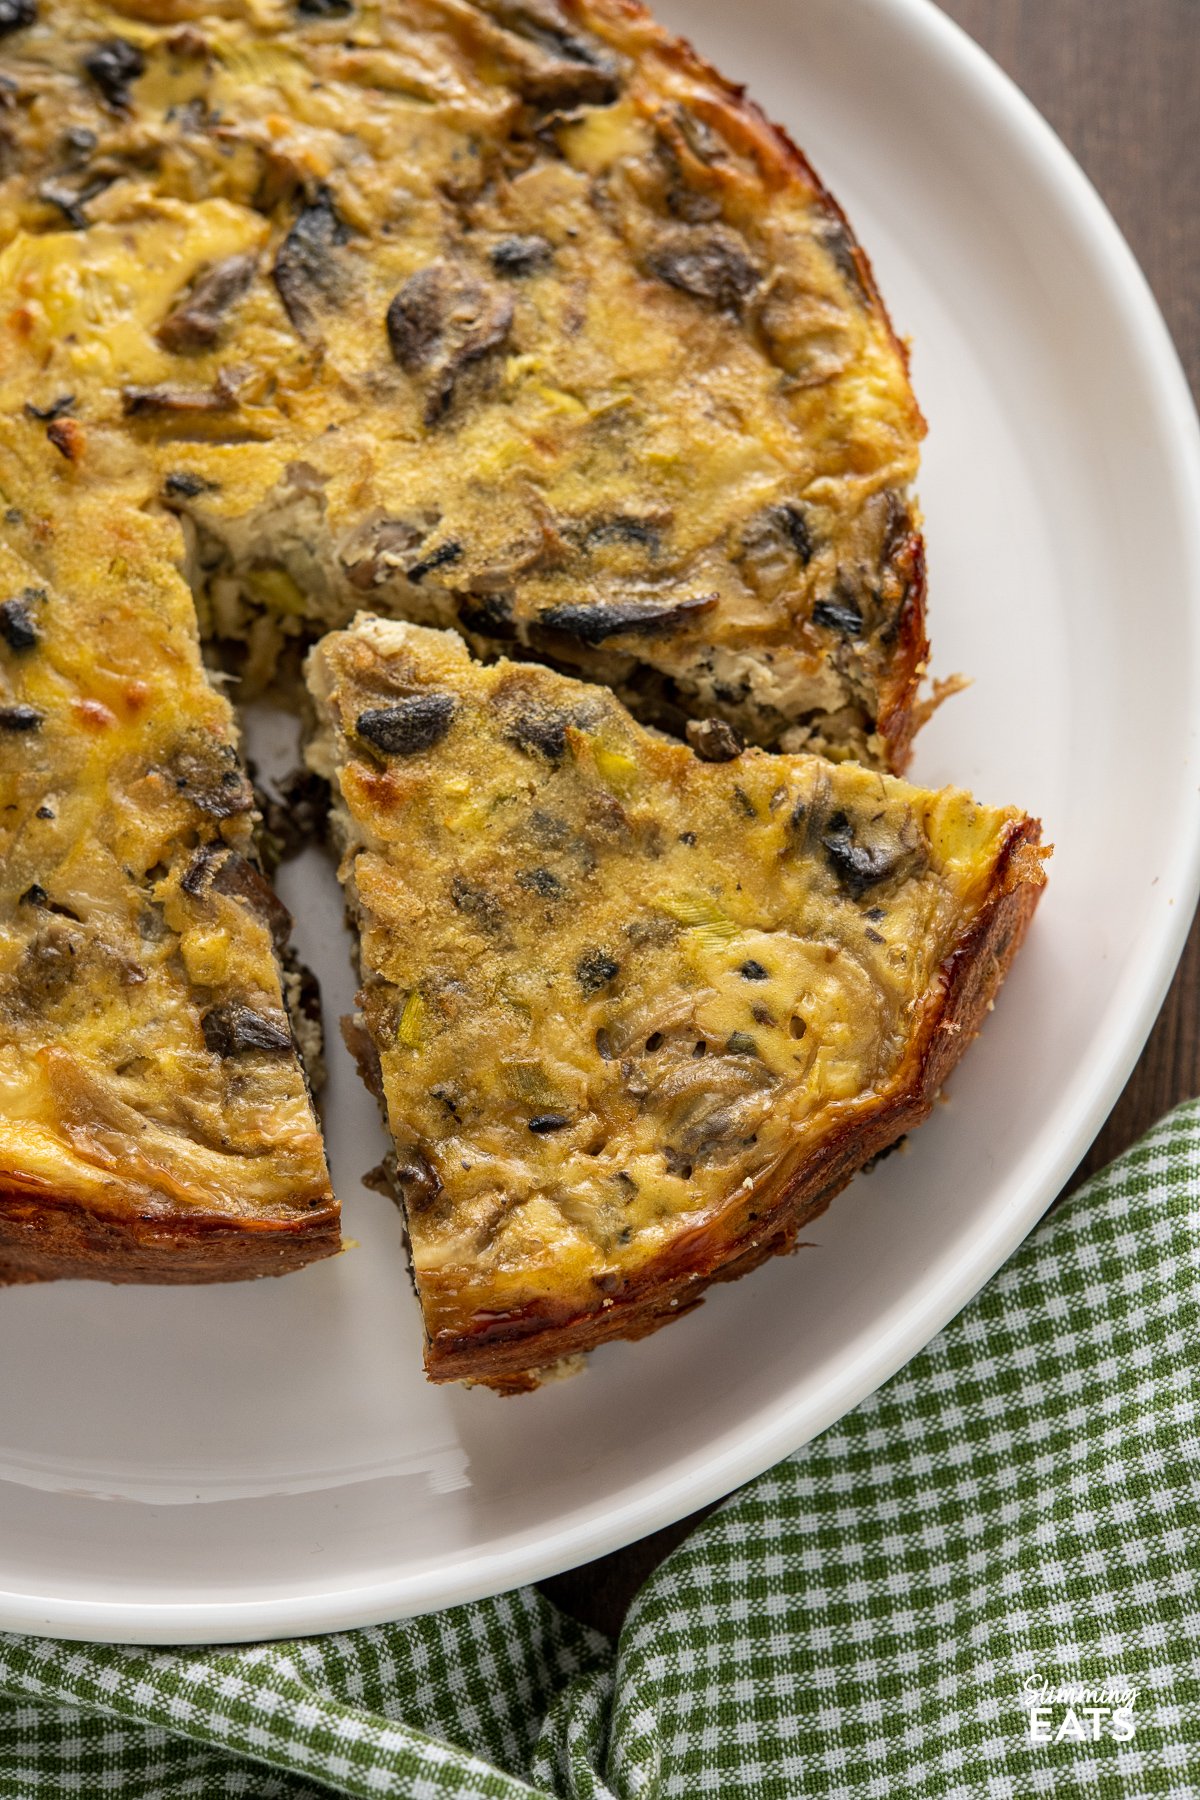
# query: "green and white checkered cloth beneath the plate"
[[981, 1583]]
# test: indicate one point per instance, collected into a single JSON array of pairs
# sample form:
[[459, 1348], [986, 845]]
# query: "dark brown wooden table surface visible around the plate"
[[1120, 82]]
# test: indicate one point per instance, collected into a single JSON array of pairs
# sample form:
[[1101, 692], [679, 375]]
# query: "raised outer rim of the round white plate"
[[715, 1471]]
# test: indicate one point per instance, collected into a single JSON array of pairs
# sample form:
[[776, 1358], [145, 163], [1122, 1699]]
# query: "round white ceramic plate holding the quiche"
[[260, 1461]]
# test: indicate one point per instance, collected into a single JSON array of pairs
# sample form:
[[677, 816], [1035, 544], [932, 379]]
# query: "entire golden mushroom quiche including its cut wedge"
[[512, 318]]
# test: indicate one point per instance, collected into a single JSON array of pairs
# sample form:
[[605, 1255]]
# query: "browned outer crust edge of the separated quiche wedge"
[[505, 1351]]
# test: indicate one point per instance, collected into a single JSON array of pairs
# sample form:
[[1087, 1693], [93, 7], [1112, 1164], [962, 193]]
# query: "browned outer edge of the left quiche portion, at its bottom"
[[53, 1239]]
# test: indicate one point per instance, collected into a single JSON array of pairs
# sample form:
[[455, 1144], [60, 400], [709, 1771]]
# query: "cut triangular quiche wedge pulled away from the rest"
[[634, 1016]]
